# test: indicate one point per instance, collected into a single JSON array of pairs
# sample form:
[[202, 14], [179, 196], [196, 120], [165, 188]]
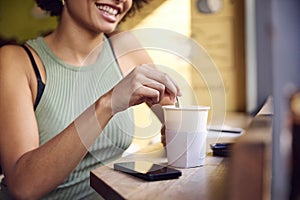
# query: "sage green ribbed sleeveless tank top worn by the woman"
[[68, 92]]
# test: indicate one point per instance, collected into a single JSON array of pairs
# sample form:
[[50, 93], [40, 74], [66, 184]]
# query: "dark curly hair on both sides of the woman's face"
[[54, 7]]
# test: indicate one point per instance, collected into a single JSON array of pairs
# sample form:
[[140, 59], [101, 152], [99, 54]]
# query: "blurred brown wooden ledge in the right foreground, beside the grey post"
[[250, 167]]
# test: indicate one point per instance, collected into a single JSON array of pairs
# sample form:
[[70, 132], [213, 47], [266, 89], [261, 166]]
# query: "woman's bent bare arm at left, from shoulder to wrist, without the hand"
[[26, 165]]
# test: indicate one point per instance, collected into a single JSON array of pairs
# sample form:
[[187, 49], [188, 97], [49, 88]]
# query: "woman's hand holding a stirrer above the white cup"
[[143, 84]]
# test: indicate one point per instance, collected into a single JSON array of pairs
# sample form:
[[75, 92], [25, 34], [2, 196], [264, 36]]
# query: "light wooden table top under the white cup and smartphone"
[[205, 182]]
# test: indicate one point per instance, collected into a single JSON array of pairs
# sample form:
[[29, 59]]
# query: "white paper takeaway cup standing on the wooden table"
[[186, 132]]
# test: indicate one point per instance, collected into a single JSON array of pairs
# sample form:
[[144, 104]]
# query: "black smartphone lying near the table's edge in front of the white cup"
[[147, 170]]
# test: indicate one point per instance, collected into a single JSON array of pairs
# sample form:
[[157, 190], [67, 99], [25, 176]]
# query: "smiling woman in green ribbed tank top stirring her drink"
[[67, 108]]
